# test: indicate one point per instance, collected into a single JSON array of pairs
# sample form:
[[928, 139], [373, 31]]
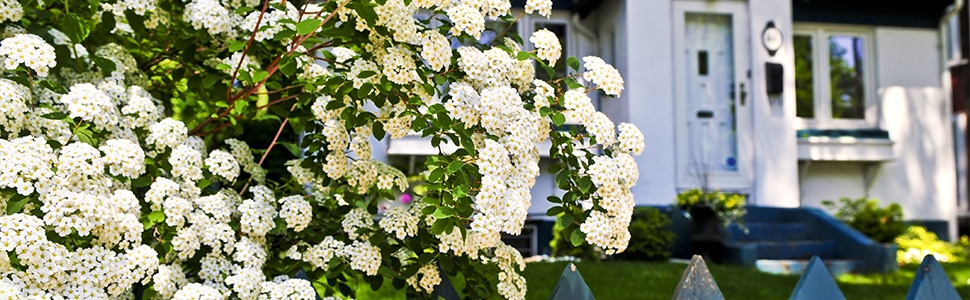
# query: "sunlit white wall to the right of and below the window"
[[915, 111]]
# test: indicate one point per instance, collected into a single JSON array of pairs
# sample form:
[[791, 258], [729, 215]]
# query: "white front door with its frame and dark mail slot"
[[713, 124]]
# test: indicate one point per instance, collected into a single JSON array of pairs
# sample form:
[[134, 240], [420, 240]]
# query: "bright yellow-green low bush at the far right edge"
[[917, 242]]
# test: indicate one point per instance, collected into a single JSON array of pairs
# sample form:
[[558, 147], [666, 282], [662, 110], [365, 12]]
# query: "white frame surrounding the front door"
[[737, 181]]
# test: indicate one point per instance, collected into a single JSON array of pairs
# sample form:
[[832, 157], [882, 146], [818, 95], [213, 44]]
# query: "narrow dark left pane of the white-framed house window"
[[804, 77]]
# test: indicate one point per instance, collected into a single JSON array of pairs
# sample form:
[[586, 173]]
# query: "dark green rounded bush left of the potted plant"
[[649, 237]]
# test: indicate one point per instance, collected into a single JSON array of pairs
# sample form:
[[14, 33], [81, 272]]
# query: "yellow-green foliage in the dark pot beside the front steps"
[[729, 207]]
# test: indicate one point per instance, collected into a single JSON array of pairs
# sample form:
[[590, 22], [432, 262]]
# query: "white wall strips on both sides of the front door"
[[644, 36]]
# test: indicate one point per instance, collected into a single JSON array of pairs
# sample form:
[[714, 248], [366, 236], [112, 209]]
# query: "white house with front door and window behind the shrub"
[[870, 114]]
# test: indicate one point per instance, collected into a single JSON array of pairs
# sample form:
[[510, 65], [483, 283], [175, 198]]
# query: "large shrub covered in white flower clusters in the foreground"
[[123, 171]]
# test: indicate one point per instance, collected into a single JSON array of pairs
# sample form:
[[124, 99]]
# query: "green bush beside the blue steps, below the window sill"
[[882, 224]]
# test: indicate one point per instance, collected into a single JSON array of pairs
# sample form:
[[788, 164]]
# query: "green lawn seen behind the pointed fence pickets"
[[656, 280]]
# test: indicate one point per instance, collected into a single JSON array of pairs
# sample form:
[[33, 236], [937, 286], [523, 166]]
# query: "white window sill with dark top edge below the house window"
[[845, 145]]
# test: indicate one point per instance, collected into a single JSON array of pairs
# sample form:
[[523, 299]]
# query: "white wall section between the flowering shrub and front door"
[[644, 57]]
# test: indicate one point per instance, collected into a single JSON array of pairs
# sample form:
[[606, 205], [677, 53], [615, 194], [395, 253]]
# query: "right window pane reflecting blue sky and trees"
[[846, 57]]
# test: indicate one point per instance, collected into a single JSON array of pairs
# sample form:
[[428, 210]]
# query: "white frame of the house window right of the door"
[[822, 101]]
